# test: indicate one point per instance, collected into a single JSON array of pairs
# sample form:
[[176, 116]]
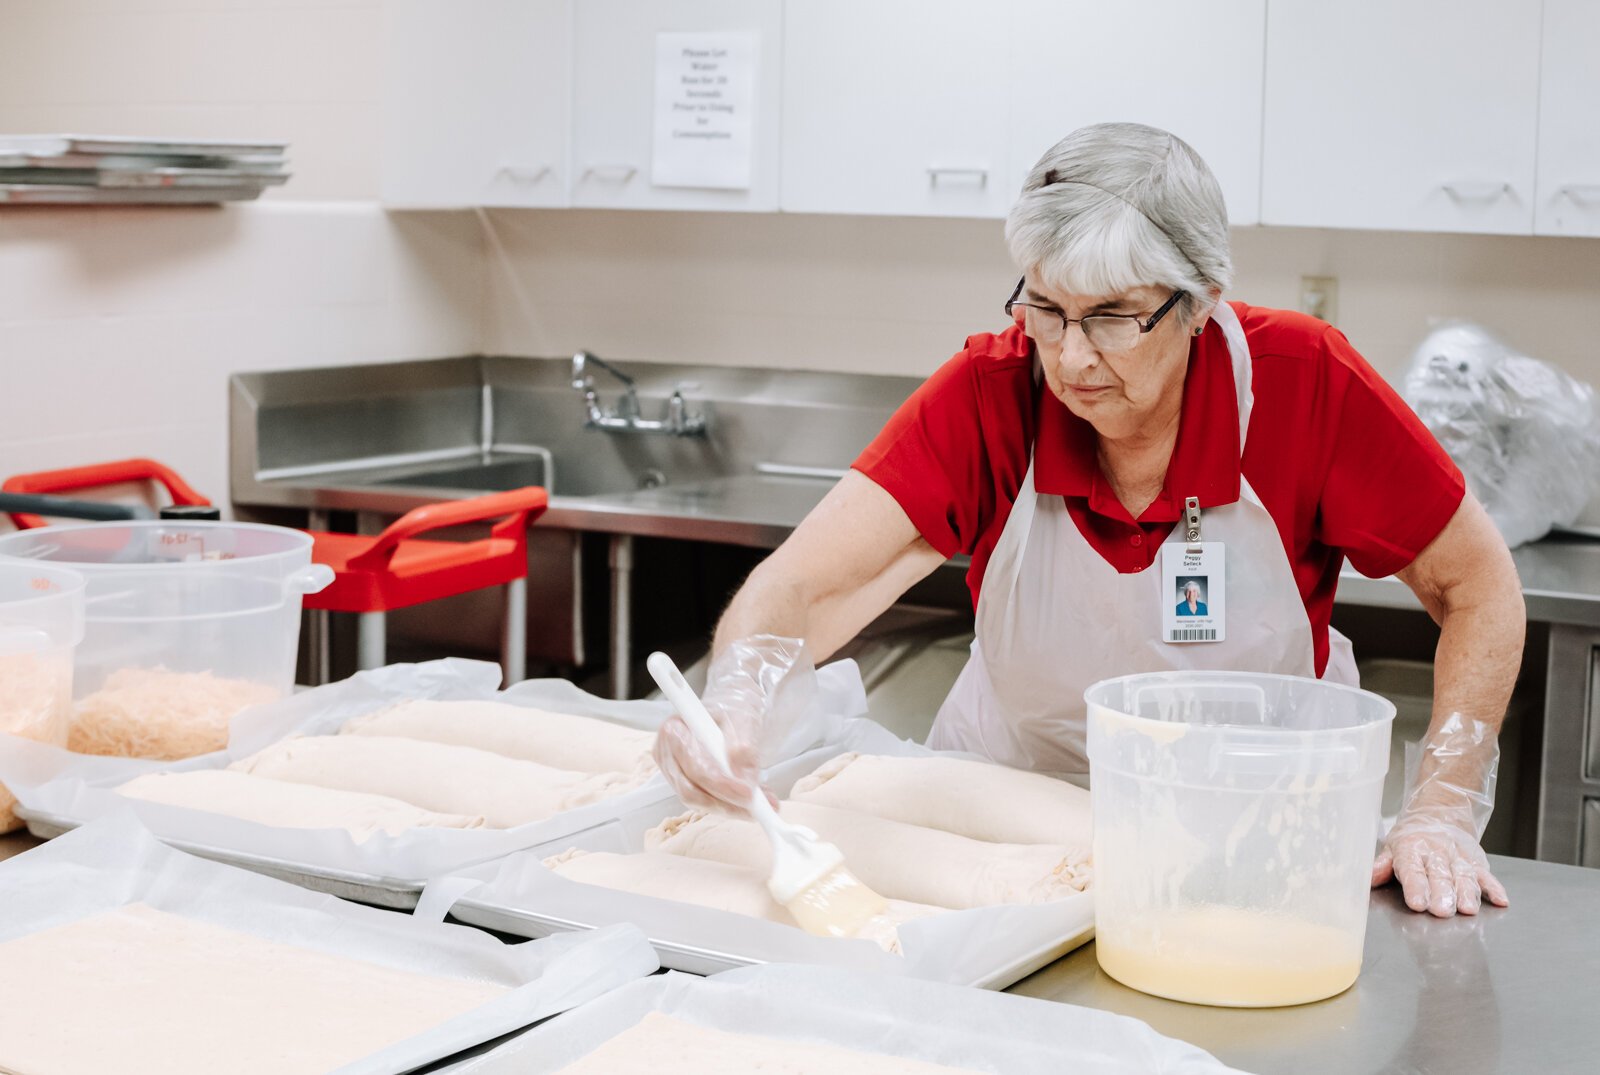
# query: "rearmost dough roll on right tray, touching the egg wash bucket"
[[970, 799]]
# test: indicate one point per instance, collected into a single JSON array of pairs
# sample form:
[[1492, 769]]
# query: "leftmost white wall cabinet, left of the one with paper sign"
[[478, 103]]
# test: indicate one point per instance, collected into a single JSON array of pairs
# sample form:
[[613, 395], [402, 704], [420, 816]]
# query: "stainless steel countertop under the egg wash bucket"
[[1510, 991]]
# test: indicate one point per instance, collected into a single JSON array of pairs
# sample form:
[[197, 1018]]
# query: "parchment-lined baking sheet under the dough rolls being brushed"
[[988, 948]]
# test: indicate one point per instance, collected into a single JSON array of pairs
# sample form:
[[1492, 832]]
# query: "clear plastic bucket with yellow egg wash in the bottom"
[[1236, 820]]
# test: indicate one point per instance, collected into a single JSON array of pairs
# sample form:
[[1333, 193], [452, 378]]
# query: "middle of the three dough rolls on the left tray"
[[439, 777]]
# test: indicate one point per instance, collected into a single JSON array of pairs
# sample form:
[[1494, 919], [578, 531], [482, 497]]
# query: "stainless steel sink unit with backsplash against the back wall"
[[378, 441]]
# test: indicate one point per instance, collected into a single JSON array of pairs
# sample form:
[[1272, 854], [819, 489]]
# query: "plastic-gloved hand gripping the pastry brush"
[[742, 695]]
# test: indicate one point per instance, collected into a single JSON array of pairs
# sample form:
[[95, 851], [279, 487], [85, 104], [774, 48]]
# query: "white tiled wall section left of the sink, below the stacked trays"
[[121, 327]]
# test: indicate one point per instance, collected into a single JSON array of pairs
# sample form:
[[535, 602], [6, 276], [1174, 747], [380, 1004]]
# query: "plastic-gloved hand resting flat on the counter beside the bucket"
[[1433, 849]]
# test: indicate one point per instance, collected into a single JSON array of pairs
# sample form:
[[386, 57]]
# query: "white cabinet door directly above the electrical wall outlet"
[[1415, 116]]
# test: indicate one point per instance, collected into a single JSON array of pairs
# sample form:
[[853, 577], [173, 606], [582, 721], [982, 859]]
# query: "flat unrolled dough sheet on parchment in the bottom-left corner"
[[138, 991]]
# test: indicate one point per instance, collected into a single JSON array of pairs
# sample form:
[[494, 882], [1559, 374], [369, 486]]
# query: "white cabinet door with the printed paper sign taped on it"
[[614, 102]]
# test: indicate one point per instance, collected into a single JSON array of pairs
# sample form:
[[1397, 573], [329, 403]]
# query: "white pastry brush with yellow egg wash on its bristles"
[[809, 876]]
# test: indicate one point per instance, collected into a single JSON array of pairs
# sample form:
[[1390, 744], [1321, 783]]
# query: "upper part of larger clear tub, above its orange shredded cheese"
[[186, 597]]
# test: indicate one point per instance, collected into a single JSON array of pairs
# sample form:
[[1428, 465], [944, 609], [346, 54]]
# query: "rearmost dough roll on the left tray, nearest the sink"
[[564, 741]]
